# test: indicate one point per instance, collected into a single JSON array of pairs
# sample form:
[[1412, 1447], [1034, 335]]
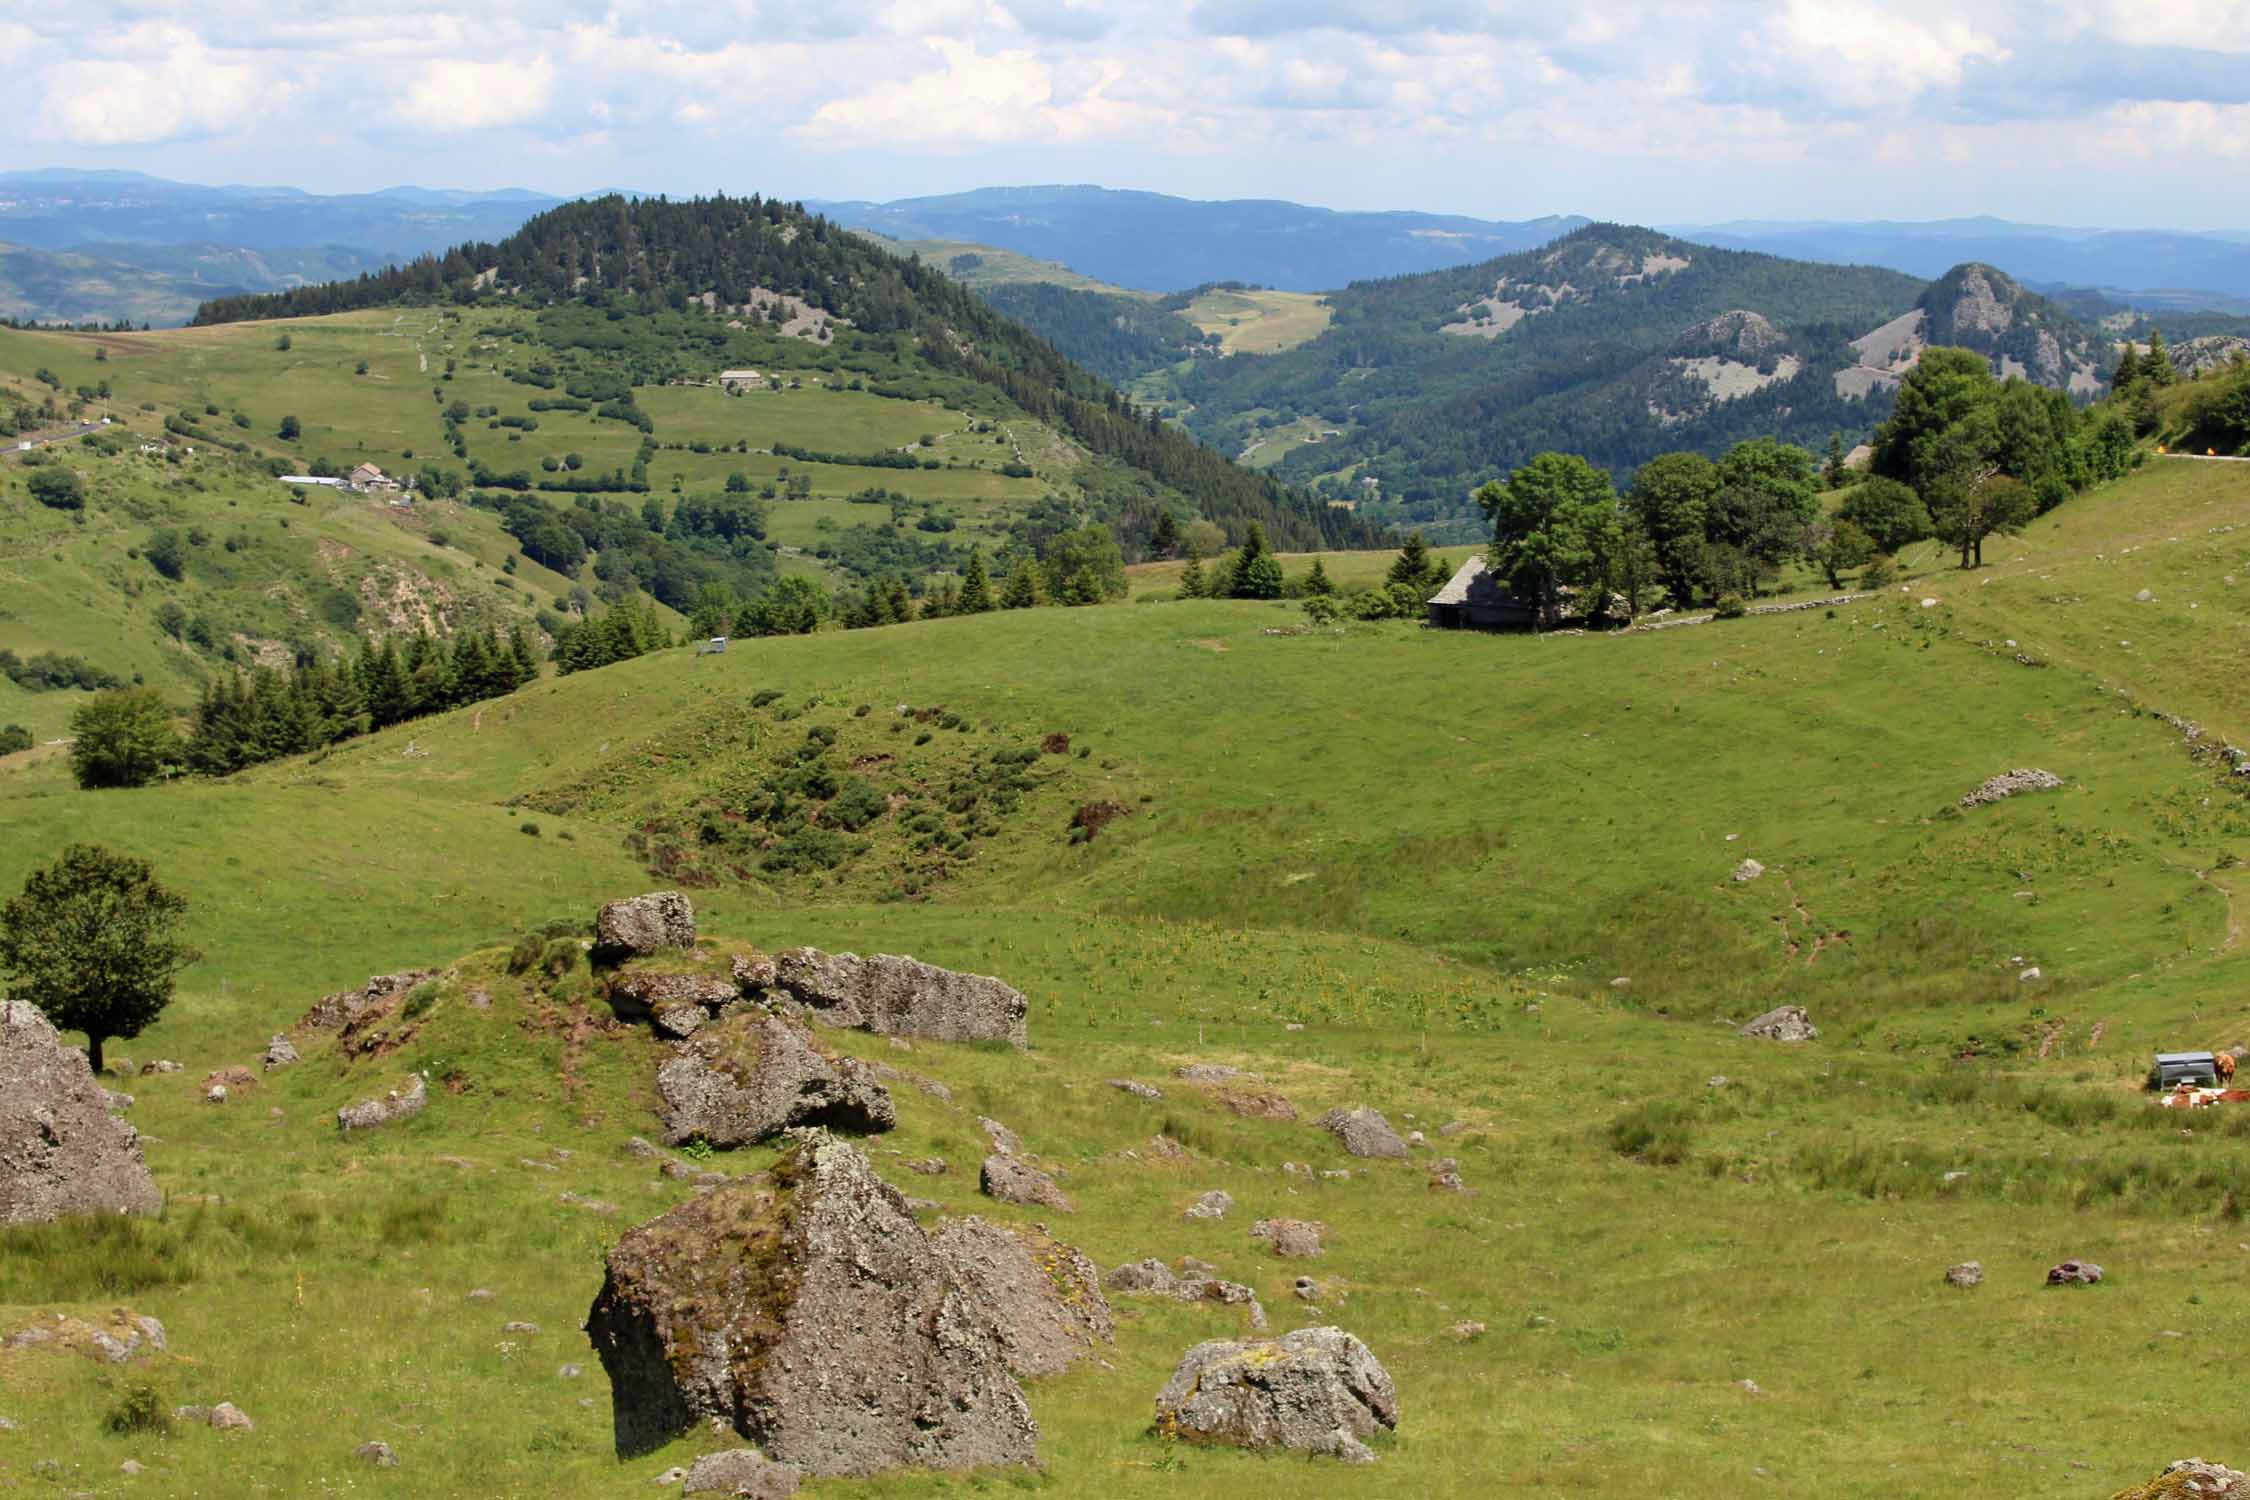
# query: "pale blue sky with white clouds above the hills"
[[2064, 111]]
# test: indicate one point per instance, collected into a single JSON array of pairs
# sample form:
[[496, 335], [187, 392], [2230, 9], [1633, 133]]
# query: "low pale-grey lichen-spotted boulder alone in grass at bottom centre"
[[1313, 1391]]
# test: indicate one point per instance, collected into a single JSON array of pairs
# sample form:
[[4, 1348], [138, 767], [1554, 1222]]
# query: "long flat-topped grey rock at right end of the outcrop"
[[903, 997]]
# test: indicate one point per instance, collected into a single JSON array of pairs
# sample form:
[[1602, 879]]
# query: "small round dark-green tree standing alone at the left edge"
[[93, 943]]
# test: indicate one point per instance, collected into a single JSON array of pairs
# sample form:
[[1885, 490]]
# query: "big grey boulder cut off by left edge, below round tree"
[[62, 1150]]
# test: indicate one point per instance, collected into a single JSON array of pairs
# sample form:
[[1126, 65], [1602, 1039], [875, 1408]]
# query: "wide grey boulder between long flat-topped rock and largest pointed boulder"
[[755, 1076]]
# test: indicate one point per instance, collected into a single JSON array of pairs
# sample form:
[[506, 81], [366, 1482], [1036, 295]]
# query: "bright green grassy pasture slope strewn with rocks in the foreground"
[[1434, 851]]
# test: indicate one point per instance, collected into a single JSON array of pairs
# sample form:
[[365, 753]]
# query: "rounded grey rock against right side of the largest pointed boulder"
[[1045, 1299]]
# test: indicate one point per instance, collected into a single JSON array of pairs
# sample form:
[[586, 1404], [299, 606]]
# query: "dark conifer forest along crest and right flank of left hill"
[[658, 255]]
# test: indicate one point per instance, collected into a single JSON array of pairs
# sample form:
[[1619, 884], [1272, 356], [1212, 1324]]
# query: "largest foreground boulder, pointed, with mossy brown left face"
[[813, 1314]]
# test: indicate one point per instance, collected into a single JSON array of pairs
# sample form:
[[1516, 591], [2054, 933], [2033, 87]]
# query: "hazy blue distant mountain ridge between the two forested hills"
[[1158, 244]]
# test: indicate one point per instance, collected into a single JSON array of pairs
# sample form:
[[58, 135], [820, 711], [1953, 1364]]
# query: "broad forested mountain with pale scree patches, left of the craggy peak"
[[1614, 343]]
